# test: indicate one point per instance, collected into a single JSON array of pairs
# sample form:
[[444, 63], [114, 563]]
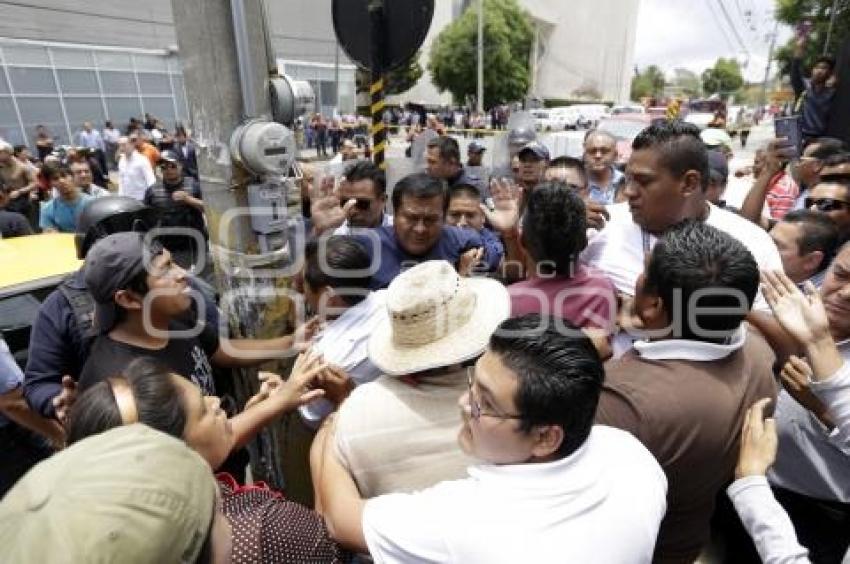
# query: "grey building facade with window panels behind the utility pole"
[[62, 63]]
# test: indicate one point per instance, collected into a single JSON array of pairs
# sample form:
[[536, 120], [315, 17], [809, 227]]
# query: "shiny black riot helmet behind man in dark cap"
[[111, 214]]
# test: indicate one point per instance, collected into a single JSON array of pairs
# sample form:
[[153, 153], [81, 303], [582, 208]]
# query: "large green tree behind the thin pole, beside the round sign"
[[508, 36]]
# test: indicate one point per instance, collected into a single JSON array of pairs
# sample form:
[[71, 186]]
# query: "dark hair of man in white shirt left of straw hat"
[[342, 254]]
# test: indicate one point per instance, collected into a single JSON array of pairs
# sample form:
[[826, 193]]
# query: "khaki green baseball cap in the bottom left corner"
[[128, 494]]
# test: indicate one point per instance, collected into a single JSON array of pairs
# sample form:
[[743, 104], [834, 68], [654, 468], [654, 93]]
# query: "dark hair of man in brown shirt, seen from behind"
[[694, 261]]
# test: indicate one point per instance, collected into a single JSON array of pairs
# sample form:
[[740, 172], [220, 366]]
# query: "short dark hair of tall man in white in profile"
[[679, 145]]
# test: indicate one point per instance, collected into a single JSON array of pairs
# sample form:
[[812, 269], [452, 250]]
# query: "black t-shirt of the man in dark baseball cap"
[[189, 357]]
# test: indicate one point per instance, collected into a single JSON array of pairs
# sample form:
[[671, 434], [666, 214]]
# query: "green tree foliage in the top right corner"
[[819, 14]]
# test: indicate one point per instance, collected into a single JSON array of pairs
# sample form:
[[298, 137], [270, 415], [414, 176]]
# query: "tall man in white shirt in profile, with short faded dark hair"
[[667, 176]]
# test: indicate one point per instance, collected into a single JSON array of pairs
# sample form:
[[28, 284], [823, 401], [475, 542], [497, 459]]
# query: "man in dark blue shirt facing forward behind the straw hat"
[[419, 232]]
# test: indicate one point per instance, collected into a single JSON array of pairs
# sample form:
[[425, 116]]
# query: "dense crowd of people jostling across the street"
[[561, 362]]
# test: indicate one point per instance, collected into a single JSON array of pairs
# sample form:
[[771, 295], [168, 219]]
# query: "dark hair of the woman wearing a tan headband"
[[159, 402]]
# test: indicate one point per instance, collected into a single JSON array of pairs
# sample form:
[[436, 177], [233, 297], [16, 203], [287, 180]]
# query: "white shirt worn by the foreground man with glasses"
[[603, 503]]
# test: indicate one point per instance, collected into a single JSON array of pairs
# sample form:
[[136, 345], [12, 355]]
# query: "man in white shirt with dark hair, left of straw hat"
[[336, 288]]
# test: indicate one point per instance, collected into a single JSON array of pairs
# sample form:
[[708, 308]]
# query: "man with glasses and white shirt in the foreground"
[[550, 487]]
